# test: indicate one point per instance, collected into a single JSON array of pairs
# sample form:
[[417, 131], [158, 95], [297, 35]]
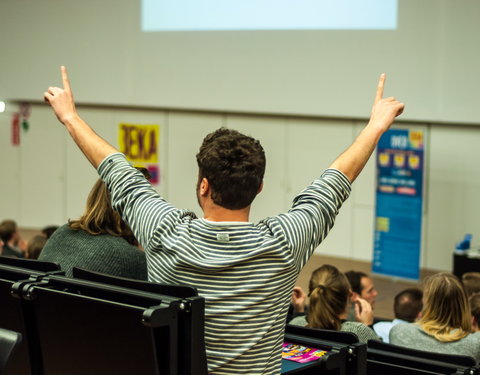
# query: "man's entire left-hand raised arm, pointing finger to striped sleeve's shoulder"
[[125, 183]]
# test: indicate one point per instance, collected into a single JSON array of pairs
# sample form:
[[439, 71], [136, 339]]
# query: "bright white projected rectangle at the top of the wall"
[[191, 15]]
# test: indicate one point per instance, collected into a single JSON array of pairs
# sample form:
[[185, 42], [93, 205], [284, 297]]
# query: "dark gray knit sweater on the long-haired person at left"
[[103, 253]]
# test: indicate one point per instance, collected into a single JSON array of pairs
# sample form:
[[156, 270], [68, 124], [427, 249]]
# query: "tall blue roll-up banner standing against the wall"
[[399, 203]]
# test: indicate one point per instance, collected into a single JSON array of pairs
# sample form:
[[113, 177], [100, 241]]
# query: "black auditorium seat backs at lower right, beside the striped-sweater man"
[[345, 355]]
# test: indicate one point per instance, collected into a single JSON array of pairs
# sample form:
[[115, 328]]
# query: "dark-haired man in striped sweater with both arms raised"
[[245, 271]]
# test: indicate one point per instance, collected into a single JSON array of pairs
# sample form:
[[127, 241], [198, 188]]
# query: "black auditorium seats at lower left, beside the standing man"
[[98, 324]]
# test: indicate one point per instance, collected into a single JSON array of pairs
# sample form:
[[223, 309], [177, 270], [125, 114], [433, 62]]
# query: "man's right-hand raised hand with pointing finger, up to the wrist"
[[384, 110]]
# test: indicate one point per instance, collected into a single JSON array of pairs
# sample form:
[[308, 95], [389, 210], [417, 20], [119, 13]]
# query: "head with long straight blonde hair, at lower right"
[[446, 312]]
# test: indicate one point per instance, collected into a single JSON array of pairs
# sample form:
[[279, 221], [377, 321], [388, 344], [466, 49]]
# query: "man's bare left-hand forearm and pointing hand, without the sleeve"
[[90, 143]]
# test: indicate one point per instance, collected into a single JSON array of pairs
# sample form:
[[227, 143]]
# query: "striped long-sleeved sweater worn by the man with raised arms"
[[244, 271]]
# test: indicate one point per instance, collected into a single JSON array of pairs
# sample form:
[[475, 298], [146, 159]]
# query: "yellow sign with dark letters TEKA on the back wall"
[[139, 143]]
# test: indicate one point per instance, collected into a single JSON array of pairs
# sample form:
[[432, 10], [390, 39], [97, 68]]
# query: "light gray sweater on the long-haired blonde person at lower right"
[[412, 336]]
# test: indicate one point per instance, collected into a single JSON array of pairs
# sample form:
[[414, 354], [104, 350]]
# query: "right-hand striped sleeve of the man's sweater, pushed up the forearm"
[[313, 213]]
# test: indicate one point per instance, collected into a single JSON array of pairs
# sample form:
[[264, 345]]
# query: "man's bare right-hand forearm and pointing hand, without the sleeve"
[[384, 111]]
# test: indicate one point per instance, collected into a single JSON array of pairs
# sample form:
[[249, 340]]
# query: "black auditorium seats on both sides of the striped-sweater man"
[[99, 324]]
